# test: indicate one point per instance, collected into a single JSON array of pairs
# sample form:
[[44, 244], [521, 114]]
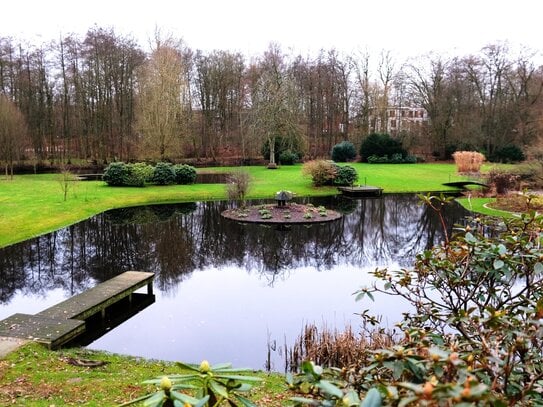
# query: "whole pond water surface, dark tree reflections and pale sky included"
[[224, 290]]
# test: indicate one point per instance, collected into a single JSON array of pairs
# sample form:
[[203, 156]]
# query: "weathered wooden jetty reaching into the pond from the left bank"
[[65, 321]]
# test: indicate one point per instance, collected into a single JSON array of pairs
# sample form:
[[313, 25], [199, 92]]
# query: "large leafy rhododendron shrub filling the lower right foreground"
[[474, 332]]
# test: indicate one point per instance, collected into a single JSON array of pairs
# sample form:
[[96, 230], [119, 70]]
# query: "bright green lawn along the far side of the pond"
[[31, 205]]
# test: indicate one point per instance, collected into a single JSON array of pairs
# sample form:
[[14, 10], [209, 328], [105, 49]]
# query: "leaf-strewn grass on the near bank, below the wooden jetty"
[[35, 376]]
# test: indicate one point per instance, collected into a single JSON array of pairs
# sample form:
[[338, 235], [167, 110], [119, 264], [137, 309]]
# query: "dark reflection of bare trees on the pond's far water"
[[174, 240]]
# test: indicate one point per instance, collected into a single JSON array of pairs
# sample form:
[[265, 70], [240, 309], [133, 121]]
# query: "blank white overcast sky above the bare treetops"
[[406, 27]]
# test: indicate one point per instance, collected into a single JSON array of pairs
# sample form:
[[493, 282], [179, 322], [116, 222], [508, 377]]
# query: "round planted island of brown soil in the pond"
[[292, 213]]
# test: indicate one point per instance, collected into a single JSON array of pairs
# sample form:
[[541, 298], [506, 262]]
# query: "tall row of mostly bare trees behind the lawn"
[[101, 97]]
